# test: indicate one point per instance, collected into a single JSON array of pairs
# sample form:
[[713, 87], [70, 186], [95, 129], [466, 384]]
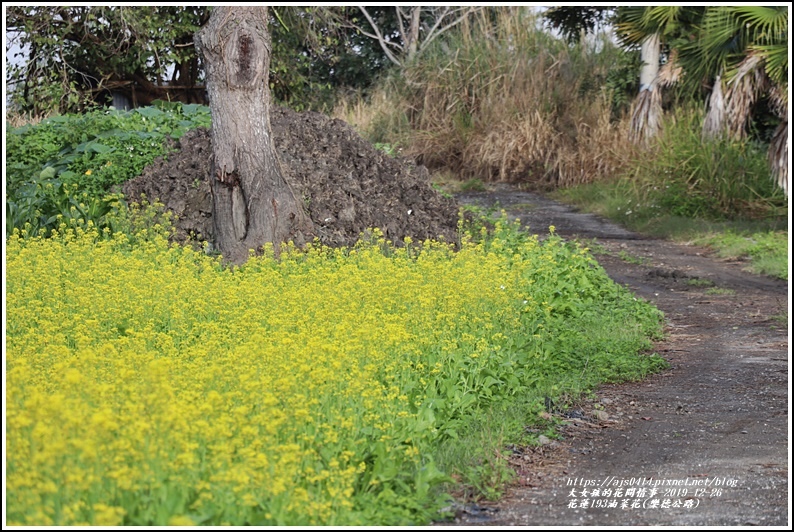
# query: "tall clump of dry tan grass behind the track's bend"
[[501, 102]]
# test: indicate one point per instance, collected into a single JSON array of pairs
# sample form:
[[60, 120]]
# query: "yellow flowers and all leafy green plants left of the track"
[[156, 408]]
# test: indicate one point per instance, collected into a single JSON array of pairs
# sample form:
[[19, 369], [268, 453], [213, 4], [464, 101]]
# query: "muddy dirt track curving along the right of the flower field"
[[710, 434]]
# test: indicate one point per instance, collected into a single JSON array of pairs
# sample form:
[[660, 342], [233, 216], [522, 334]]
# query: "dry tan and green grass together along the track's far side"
[[524, 107]]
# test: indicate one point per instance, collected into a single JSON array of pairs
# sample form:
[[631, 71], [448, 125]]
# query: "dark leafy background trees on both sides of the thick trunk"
[[71, 58]]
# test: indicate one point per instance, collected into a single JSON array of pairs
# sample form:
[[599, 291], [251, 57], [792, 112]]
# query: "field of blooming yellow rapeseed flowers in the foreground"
[[146, 384]]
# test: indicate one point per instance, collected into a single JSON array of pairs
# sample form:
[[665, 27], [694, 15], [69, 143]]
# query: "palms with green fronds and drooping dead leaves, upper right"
[[741, 50]]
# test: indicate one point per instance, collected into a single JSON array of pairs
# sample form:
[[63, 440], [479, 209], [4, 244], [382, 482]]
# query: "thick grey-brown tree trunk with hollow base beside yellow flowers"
[[252, 202]]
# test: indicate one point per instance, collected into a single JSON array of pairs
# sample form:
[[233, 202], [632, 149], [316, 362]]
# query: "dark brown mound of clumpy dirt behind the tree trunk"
[[346, 184]]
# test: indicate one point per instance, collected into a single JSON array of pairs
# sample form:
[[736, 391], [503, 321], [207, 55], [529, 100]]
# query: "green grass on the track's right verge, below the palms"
[[714, 193]]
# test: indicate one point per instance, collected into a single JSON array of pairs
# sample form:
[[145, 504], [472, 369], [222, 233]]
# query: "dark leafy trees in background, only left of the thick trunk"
[[74, 56]]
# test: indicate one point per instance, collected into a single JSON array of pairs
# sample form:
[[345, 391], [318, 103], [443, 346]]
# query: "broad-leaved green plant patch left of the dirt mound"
[[67, 165]]
